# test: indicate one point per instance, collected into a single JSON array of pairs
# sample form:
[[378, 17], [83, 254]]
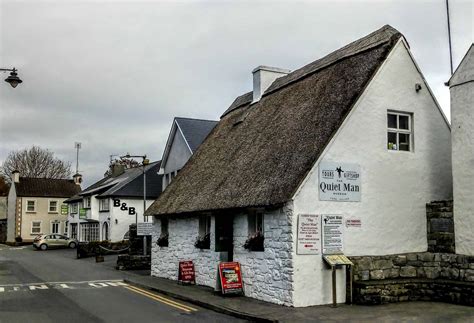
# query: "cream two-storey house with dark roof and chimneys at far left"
[[37, 206]]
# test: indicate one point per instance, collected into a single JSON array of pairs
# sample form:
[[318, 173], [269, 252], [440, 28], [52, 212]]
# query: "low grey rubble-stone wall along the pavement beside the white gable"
[[413, 276]]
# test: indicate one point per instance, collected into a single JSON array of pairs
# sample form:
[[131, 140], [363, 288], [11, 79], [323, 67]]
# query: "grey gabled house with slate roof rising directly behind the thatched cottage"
[[185, 136]]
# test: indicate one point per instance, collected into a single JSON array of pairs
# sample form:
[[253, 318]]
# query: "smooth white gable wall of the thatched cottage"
[[395, 185]]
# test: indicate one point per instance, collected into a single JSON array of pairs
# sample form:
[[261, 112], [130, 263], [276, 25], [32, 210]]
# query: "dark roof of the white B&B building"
[[128, 184]]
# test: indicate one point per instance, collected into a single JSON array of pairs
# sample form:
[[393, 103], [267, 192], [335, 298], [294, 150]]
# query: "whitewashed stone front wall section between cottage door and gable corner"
[[267, 275]]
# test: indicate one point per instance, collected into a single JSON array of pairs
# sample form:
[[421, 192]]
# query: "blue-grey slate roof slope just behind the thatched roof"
[[195, 130]]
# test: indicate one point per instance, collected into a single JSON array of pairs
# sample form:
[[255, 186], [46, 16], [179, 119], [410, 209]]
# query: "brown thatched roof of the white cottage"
[[259, 153]]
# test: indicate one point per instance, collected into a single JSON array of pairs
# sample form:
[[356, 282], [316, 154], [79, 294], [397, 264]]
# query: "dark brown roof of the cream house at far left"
[[46, 187]]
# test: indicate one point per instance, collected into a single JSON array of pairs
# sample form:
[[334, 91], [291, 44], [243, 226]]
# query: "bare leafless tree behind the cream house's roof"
[[35, 162]]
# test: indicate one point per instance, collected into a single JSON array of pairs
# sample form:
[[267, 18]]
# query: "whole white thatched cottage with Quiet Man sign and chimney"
[[356, 135]]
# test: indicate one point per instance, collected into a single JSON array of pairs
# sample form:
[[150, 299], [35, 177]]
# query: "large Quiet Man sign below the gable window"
[[339, 182]]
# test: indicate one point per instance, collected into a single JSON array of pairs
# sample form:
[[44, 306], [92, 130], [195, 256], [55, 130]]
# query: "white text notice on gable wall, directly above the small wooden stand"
[[332, 234]]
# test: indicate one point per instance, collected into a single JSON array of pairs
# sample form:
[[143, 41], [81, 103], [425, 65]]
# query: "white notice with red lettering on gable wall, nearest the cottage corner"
[[309, 234]]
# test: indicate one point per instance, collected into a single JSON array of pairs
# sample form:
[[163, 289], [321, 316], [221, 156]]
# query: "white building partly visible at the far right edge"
[[461, 86]]
